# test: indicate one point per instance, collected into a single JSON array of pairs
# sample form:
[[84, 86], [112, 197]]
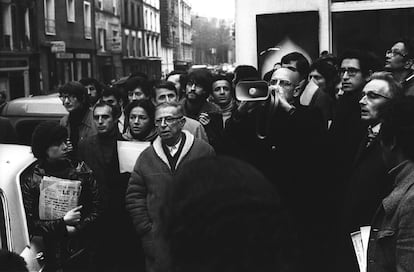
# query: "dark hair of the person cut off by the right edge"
[[398, 125]]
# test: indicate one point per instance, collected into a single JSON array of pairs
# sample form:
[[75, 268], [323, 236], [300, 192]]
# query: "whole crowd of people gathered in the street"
[[230, 185]]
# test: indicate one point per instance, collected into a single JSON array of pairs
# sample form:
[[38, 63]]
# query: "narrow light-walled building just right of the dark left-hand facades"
[[108, 40]]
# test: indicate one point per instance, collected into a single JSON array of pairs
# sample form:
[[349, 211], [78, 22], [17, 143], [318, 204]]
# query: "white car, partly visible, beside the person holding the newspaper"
[[15, 161]]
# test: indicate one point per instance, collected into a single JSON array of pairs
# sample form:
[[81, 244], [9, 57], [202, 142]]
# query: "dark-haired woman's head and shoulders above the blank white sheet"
[[139, 121]]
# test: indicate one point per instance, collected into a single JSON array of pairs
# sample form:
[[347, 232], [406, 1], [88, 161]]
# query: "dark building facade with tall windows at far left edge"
[[19, 75]]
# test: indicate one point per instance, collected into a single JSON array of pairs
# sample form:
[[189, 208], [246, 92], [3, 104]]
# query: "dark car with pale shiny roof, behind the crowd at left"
[[27, 112]]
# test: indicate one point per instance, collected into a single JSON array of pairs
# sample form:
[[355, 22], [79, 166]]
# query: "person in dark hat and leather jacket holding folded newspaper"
[[61, 201]]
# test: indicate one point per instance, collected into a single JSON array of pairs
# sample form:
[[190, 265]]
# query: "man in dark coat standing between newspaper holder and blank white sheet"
[[100, 153]]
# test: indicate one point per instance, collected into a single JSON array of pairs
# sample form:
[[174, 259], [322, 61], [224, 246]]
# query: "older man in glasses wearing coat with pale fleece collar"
[[152, 175]]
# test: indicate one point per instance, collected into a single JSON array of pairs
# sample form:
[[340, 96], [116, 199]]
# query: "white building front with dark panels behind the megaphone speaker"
[[334, 26]]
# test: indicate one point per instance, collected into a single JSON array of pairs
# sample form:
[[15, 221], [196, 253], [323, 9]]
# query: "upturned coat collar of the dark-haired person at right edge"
[[404, 179]]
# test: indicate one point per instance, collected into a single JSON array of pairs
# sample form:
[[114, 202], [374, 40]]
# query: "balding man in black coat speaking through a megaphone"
[[286, 142]]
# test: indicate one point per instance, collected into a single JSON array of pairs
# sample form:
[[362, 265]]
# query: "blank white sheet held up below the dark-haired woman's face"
[[128, 153]]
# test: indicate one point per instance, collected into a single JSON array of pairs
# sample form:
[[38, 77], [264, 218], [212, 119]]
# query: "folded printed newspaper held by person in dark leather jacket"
[[57, 197]]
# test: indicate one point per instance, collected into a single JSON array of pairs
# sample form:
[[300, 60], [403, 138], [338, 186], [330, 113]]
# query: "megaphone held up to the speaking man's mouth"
[[252, 91]]
